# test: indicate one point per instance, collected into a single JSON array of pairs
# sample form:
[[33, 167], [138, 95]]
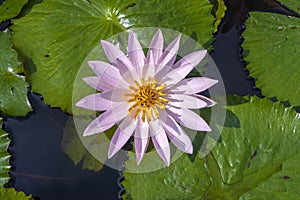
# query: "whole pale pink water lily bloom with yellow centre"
[[147, 96]]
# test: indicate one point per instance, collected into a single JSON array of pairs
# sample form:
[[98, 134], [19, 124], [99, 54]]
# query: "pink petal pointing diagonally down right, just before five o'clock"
[[177, 136]]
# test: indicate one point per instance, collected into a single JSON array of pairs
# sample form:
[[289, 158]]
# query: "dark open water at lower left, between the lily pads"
[[41, 168]]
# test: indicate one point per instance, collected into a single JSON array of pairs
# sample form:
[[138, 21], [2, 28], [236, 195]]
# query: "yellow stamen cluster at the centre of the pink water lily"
[[147, 97]]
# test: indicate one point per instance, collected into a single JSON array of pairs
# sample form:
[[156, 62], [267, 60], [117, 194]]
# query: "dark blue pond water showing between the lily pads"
[[40, 166]]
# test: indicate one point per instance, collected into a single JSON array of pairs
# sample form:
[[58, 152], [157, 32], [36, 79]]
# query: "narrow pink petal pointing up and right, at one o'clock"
[[169, 55]]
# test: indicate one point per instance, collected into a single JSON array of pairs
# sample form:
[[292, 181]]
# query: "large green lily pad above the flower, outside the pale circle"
[[58, 35]]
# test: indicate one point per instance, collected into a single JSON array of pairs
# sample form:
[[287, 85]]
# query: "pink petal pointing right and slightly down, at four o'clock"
[[189, 119]]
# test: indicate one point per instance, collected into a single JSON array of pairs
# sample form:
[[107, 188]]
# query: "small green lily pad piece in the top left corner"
[[11, 8]]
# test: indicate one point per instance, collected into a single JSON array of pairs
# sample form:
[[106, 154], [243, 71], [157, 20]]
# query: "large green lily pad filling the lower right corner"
[[258, 159]]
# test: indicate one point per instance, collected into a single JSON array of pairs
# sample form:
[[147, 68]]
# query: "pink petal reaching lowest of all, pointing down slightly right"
[[160, 141]]
